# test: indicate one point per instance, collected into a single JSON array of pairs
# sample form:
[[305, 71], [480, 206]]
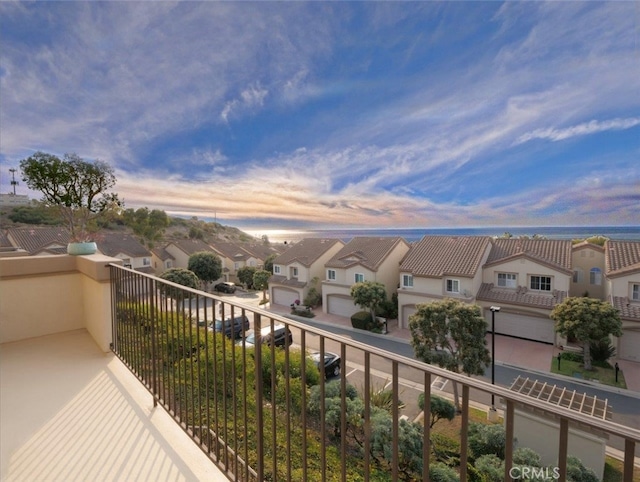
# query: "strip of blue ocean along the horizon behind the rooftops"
[[629, 233]]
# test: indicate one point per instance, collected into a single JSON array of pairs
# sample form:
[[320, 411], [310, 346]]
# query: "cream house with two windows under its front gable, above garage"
[[526, 278]]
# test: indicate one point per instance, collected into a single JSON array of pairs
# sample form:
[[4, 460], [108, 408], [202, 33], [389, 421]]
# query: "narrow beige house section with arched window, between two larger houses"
[[587, 262]]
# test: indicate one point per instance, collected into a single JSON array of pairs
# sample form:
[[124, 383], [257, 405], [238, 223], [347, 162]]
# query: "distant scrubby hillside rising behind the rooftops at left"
[[179, 228]]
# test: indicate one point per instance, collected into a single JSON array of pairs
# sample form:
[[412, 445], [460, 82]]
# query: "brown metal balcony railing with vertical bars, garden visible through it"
[[263, 412]]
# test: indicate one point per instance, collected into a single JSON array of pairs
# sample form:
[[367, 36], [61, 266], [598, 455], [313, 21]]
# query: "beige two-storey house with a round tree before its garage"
[[362, 259]]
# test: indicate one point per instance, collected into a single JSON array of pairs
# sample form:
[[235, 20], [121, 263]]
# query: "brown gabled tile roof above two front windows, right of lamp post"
[[555, 253]]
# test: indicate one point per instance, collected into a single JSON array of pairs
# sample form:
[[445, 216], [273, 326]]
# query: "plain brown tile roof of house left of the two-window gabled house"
[[438, 256]]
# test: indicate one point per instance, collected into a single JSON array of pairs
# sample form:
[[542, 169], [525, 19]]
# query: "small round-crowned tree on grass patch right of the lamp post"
[[587, 320]]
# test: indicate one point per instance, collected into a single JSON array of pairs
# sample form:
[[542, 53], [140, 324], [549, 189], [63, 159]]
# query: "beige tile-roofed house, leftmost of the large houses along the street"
[[295, 270]]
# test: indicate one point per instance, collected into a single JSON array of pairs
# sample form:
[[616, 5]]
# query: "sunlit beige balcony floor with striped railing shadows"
[[70, 412]]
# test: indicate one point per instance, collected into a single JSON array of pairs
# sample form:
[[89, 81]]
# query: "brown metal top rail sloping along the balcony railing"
[[505, 393]]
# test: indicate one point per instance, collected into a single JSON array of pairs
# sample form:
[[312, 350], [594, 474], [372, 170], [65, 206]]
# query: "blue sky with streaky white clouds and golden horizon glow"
[[336, 114]]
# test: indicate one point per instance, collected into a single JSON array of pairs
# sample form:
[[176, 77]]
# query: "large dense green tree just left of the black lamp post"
[[450, 334]]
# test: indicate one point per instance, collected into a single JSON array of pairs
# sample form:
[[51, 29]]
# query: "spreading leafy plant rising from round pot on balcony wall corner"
[[78, 189]]
